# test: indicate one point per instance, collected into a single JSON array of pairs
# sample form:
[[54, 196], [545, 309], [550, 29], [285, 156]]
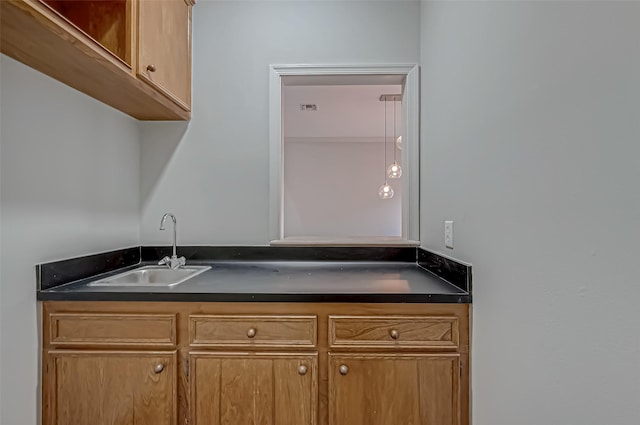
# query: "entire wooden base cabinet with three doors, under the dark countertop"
[[266, 363]]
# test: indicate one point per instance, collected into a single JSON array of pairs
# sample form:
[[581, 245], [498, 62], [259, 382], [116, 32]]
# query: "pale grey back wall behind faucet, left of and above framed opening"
[[215, 175]]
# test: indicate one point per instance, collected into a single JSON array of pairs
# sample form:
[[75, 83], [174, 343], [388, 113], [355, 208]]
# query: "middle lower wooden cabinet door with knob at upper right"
[[246, 388]]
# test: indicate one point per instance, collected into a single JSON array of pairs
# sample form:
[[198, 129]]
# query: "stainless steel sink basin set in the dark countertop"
[[152, 276]]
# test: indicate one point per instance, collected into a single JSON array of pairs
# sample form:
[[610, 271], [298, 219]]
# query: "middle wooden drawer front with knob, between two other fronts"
[[248, 331]]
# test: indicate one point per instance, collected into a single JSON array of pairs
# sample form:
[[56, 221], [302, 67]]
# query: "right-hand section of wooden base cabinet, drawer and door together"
[[400, 369]]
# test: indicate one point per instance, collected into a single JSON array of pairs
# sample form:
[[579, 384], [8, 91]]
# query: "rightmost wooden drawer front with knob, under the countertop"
[[393, 331]]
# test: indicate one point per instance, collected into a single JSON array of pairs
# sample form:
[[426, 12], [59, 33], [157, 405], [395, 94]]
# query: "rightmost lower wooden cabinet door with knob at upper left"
[[398, 389]]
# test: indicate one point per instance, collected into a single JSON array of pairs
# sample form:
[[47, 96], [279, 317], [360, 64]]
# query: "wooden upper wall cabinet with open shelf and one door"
[[134, 55]]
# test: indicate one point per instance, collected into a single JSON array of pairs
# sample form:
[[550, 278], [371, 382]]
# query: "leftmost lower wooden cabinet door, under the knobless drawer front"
[[110, 388]]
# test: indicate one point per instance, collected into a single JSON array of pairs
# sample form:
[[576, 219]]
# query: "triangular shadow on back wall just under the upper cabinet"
[[159, 141]]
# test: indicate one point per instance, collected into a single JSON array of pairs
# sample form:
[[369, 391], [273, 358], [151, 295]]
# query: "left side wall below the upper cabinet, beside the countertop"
[[69, 187]]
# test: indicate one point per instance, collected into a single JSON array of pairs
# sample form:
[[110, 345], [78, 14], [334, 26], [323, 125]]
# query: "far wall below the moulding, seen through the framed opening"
[[331, 190]]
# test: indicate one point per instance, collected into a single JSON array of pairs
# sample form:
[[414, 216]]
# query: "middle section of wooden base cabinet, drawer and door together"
[[253, 383]]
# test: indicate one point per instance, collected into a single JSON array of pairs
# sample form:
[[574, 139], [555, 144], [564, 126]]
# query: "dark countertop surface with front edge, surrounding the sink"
[[281, 281]]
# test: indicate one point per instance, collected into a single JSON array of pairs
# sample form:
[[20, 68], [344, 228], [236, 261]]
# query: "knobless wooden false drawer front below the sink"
[[144, 330]]
